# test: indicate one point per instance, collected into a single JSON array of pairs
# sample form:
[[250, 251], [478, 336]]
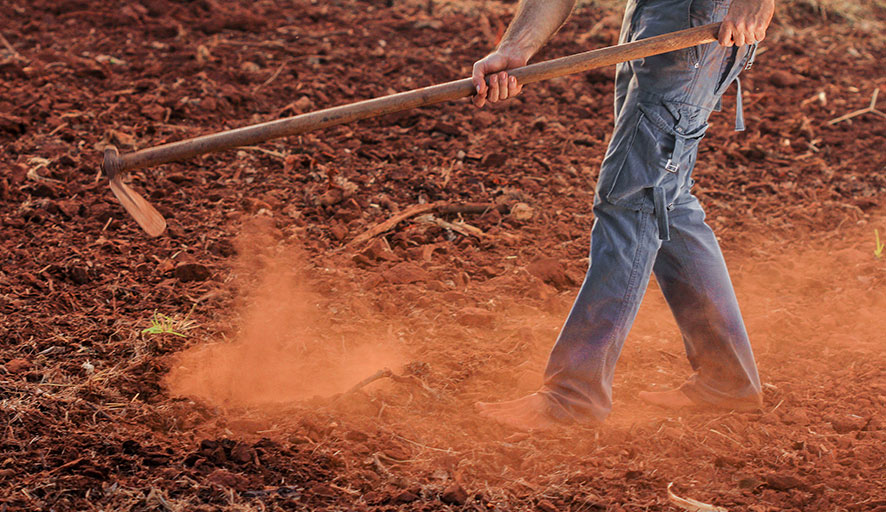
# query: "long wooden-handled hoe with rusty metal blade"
[[115, 164]]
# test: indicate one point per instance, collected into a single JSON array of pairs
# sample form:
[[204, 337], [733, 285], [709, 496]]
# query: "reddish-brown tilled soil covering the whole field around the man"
[[277, 316]]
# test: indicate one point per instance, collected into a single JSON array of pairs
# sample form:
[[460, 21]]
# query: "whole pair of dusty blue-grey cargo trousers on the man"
[[662, 104]]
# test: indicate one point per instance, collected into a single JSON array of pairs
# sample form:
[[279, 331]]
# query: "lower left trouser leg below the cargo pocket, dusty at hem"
[[578, 378]]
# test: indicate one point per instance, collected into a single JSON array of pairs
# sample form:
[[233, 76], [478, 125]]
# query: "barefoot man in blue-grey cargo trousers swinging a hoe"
[[646, 219]]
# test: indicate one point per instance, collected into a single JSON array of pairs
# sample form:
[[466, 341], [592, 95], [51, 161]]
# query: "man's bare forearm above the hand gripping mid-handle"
[[535, 23]]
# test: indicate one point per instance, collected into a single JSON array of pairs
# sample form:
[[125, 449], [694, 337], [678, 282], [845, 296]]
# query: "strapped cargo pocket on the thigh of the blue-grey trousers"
[[659, 154]]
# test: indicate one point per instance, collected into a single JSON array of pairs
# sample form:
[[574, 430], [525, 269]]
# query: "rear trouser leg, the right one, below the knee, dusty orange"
[[692, 275]]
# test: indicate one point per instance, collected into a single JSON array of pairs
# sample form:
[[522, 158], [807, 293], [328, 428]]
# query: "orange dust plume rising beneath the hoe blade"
[[286, 348]]
